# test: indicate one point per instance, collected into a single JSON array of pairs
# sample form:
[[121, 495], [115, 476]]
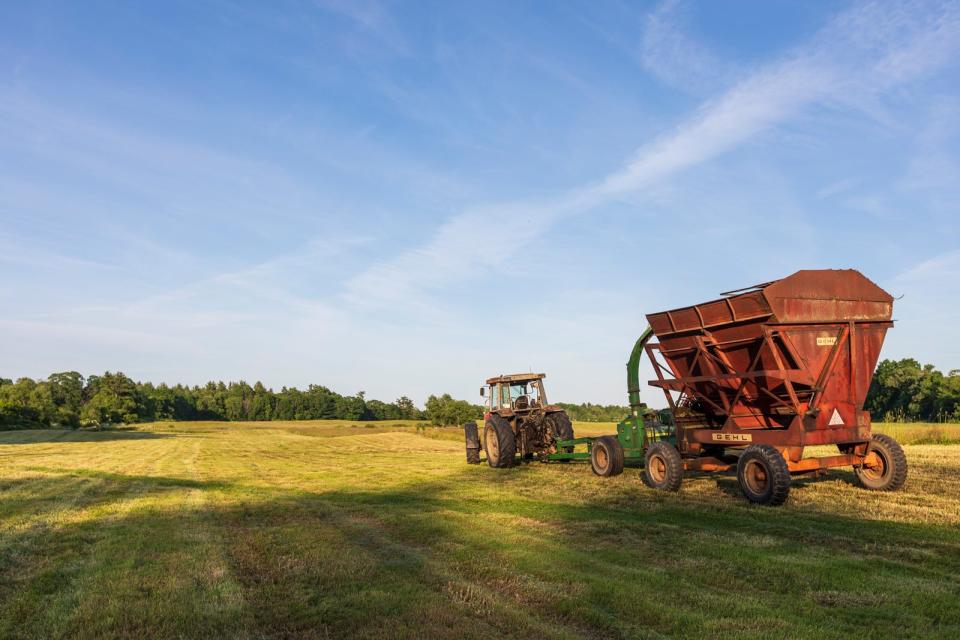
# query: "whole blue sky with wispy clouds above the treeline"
[[405, 198]]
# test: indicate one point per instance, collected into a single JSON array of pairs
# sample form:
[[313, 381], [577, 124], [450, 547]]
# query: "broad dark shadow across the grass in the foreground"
[[471, 555]]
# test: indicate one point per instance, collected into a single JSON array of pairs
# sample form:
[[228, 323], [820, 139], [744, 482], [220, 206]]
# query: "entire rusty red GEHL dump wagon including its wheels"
[[755, 377]]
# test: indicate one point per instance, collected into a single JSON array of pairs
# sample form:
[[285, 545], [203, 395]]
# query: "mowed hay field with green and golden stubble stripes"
[[327, 530]]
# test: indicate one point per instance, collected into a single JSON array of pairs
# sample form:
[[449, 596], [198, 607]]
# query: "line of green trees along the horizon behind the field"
[[901, 391]]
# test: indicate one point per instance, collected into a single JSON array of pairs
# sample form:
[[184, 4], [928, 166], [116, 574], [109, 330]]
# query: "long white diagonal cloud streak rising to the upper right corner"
[[865, 50]]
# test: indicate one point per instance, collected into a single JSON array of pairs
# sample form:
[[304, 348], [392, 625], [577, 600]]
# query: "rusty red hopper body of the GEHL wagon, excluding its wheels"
[[793, 358]]
